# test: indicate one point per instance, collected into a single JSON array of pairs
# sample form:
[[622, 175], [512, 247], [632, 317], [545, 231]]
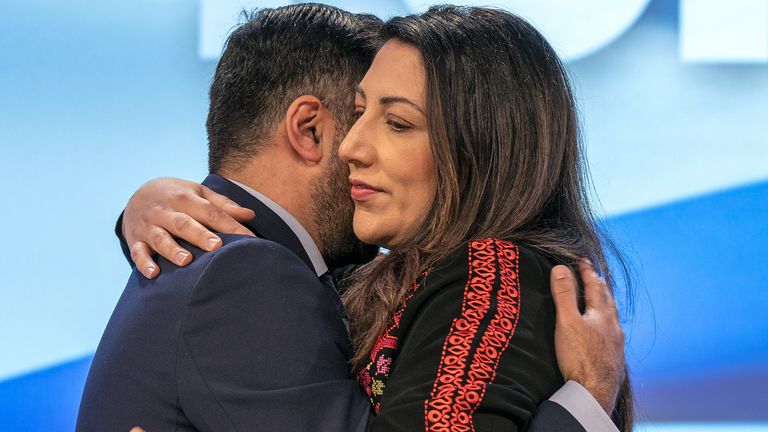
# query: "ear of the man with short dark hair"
[[307, 123]]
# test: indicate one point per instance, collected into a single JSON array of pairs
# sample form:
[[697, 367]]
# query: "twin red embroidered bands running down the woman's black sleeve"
[[458, 390]]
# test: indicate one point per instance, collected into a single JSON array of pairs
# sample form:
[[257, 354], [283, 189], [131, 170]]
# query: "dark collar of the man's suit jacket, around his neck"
[[266, 224]]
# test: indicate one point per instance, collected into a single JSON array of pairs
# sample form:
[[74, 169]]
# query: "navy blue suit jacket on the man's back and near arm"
[[245, 338]]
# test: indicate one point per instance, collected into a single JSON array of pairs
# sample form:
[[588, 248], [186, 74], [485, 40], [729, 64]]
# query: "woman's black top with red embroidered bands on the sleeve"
[[471, 347]]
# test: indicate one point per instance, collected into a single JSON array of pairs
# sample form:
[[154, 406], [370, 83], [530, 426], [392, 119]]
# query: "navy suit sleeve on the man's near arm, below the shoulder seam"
[[264, 347]]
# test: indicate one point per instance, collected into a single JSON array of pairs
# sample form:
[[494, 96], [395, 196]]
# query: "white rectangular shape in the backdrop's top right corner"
[[717, 31]]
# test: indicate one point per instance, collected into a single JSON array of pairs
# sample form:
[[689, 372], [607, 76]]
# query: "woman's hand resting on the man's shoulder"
[[167, 207]]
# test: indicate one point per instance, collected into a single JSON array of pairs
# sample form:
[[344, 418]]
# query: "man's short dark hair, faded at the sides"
[[276, 56]]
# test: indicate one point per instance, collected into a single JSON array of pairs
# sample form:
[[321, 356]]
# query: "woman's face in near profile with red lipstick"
[[392, 171]]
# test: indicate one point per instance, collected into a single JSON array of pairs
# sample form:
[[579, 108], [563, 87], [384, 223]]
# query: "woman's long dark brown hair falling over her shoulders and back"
[[504, 134]]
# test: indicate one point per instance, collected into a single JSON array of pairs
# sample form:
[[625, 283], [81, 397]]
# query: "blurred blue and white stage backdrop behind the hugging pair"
[[98, 97]]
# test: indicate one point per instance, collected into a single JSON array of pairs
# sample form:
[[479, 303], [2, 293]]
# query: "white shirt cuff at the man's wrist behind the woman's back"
[[583, 407]]
